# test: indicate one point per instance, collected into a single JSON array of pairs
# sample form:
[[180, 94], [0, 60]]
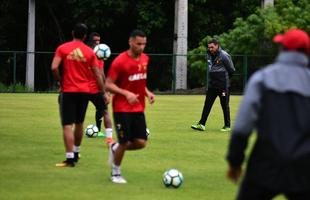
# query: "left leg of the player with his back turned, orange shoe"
[[67, 111]]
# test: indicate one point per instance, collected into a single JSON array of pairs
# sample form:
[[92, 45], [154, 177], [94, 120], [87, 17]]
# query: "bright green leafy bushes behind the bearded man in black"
[[253, 35]]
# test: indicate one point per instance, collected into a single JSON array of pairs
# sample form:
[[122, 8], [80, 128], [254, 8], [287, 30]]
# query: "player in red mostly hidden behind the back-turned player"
[[96, 98]]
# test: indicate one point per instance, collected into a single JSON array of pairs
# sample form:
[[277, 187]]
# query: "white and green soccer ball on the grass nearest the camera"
[[173, 178]]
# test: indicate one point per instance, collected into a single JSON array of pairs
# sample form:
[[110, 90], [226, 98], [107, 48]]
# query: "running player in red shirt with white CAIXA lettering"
[[127, 80]]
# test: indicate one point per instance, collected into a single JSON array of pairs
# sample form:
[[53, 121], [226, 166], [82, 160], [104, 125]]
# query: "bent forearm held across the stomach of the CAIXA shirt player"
[[112, 87]]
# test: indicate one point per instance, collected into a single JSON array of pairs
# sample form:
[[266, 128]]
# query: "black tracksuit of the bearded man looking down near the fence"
[[221, 68]]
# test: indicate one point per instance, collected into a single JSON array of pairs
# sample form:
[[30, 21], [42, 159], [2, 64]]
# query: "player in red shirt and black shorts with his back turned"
[[77, 59]]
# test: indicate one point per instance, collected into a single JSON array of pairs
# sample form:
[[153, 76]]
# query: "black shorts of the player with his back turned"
[[72, 107]]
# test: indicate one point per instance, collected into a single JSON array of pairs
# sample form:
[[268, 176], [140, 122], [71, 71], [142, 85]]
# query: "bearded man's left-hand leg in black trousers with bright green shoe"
[[209, 100]]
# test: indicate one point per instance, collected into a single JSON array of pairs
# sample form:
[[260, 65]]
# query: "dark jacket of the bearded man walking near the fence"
[[221, 68]]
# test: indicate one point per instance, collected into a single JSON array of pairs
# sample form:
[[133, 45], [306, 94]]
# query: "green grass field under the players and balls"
[[31, 143]]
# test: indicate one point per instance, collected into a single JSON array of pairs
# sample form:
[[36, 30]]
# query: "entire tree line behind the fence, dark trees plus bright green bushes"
[[241, 26]]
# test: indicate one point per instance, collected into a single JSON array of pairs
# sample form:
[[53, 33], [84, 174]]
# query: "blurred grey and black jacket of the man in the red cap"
[[277, 104]]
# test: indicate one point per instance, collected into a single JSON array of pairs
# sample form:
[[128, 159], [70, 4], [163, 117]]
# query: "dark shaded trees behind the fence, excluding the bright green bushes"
[[113, 19]]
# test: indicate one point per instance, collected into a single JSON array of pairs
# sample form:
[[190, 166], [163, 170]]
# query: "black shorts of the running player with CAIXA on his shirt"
[[129, 126]]
